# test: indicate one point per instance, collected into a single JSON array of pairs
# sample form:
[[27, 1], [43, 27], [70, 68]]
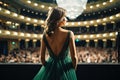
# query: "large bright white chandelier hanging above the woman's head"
[[74, 7]]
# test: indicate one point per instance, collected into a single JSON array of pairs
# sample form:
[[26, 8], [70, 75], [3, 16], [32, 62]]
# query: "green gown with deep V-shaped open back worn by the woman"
[[58, 67]]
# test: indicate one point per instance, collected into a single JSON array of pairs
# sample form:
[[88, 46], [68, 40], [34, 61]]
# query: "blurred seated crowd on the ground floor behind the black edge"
[[85, 55]]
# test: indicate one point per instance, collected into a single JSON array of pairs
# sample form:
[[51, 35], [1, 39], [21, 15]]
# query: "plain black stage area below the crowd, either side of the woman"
[[26, 71]]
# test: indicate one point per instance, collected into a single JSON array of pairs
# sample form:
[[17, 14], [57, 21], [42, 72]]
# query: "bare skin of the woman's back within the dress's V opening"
[[57, 41]]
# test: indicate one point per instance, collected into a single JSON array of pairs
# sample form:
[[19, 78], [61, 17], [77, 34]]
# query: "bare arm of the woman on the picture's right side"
[[73, 50]]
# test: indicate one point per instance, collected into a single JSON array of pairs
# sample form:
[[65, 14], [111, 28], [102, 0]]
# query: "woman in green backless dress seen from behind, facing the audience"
[[58, 41]]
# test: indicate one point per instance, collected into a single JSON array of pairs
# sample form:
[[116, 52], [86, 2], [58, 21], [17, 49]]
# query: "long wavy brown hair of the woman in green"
[[54, 16]]
